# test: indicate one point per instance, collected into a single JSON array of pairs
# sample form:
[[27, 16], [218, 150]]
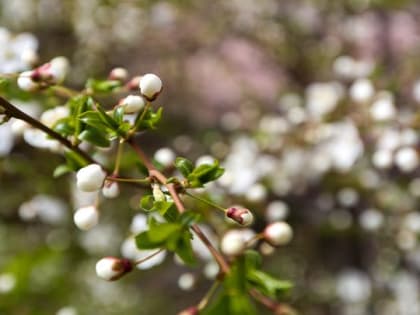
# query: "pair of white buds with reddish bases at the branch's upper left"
[[53, 72]]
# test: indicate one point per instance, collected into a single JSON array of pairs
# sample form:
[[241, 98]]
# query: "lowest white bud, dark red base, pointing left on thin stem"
[[112, 268]]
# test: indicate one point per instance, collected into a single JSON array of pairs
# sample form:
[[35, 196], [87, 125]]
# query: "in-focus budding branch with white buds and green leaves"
[[84, 125]]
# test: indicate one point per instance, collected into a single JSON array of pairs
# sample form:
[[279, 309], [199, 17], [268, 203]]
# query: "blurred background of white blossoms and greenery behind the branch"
[[311, 106]]
